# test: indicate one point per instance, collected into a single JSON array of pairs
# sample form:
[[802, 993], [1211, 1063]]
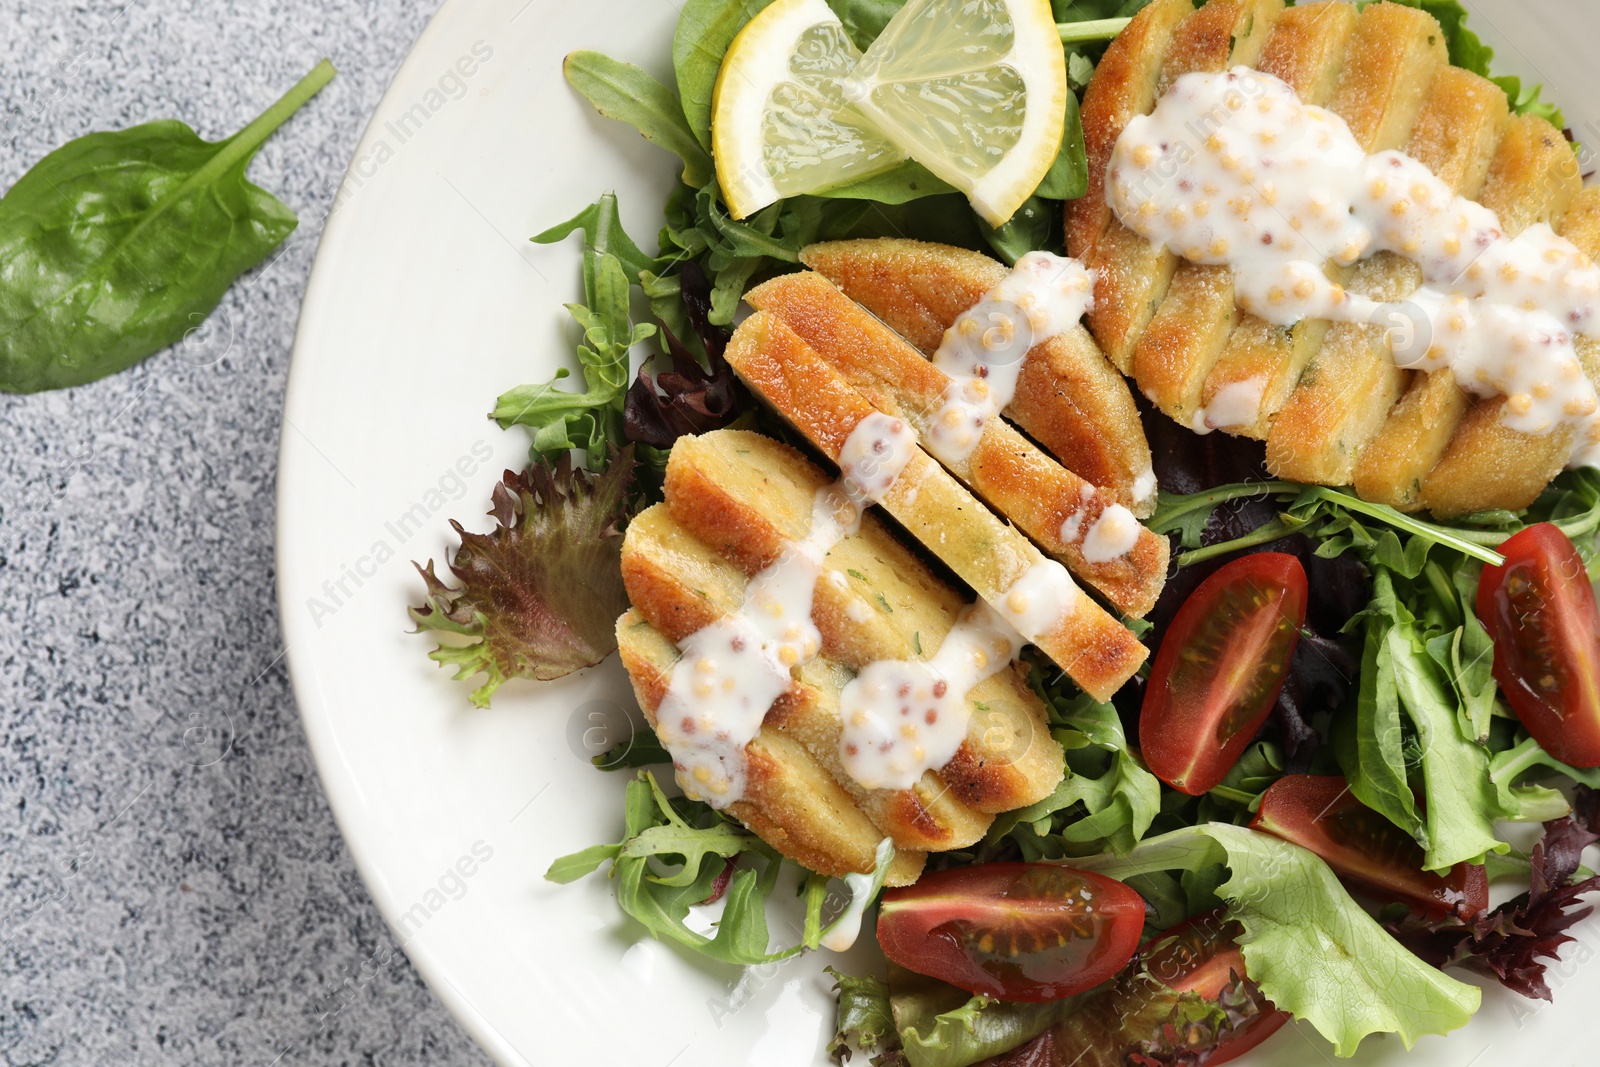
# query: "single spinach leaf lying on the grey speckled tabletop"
[[119, 244]]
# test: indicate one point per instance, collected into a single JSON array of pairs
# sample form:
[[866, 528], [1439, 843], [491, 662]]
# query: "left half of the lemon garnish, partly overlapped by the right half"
[[780, 121]]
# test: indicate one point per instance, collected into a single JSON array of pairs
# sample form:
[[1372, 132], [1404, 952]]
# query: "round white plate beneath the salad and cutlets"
[[425, 305]]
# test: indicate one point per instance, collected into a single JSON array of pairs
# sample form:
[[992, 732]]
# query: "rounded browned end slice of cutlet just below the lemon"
[[1070, 398]]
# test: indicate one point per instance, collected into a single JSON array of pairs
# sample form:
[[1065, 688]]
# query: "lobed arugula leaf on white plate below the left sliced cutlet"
[[694, 845]]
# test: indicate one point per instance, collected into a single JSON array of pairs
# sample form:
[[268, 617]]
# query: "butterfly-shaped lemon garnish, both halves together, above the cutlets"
[[974, 90]]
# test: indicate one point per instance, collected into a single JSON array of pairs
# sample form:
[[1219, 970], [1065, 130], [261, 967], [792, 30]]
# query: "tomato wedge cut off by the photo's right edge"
[[1540, 609]]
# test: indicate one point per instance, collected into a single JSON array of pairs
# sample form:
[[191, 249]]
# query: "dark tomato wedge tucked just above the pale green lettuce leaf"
[[1324, 817]]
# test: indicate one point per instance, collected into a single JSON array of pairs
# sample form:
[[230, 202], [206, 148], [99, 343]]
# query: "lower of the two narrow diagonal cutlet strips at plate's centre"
[[1098, 653]]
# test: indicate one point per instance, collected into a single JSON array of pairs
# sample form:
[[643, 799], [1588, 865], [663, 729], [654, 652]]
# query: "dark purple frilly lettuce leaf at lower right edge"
[[1513, 941]]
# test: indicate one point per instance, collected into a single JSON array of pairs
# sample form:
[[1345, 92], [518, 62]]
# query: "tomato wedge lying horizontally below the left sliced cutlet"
[[1017, 932]]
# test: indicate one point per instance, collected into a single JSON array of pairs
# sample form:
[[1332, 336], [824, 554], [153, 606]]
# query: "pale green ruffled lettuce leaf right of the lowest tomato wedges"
[[1310, 948]]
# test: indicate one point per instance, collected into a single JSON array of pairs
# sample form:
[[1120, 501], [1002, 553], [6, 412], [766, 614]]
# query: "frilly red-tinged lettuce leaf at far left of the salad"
[[538, 596]]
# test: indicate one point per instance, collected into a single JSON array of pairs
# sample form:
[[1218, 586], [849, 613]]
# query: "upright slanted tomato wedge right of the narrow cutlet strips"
[[1220, 669]]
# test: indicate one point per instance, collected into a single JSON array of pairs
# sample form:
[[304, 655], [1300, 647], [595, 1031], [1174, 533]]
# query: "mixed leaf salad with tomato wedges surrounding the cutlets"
[[1433, 684]]
